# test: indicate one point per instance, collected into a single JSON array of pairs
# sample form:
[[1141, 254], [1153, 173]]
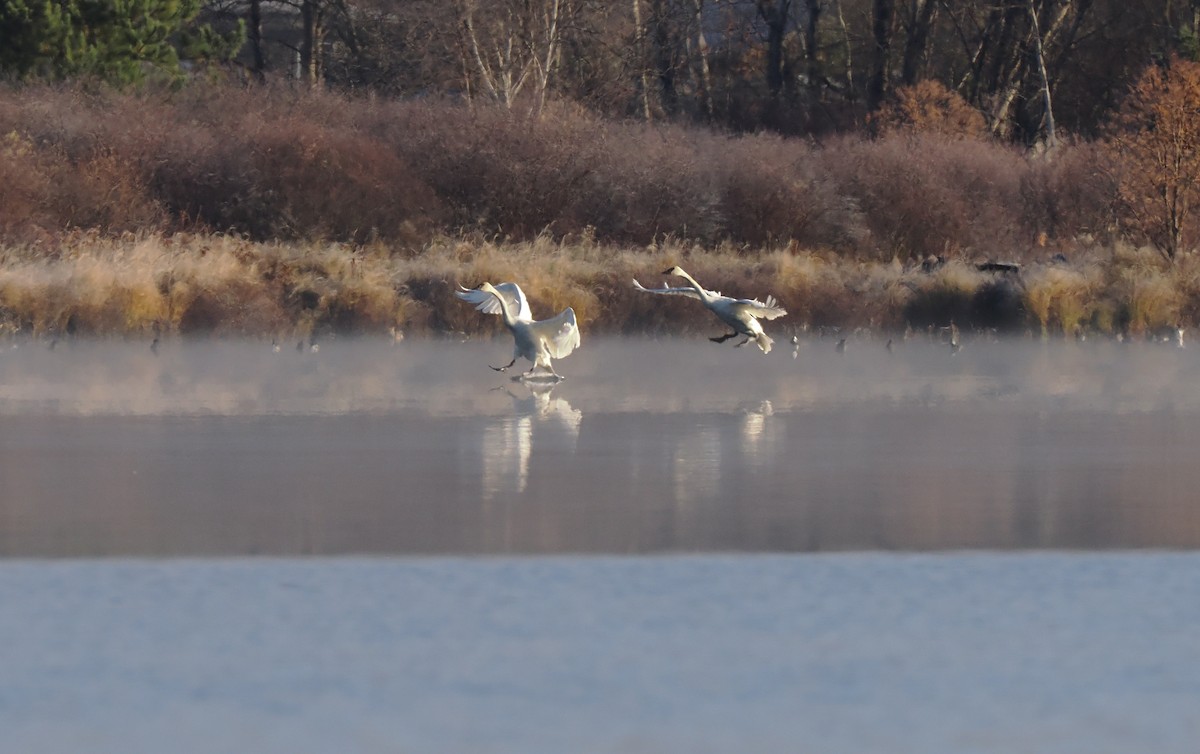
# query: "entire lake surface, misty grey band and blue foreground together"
[[680, 493]]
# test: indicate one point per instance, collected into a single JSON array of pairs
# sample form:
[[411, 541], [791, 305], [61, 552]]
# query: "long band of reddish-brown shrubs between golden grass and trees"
[[274, 164]]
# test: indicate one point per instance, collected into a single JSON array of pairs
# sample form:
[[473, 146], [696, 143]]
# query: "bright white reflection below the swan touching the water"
[[509, 441]]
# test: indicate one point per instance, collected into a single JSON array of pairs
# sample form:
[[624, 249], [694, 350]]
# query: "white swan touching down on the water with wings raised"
[[536, 340]]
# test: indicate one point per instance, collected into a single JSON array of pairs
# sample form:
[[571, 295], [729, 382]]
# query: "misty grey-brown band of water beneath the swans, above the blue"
[[363, 447]]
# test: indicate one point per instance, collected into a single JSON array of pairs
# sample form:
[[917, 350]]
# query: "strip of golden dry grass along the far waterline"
[[94, 286]]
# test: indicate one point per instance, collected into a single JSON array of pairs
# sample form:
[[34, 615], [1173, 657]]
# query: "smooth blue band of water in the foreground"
[[1039, 653]]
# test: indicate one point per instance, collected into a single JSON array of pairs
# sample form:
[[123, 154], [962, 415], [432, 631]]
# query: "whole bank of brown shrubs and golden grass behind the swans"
[[265, 211]]
